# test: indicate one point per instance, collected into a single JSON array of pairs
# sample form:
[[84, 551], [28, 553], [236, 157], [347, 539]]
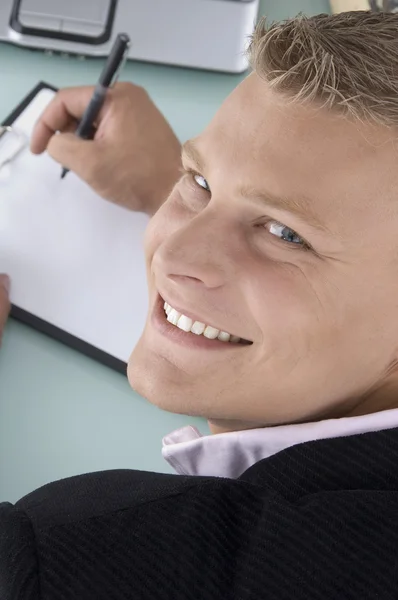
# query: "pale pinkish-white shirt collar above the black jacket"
[[230, 454]]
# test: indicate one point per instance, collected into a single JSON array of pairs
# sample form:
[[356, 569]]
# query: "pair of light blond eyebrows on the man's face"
[[301, 206]]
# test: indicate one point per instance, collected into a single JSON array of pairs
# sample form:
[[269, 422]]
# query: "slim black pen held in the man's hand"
[[108, 76]]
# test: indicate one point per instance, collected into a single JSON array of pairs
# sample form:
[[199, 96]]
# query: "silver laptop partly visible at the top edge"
[[205, 34]]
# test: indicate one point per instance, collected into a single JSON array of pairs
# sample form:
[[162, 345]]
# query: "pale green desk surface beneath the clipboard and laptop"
[[61, 413]]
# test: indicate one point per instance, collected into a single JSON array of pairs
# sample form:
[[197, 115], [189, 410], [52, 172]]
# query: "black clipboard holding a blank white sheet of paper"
[[76, 261]]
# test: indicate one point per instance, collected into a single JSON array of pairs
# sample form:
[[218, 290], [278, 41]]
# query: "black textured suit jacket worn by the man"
[[318, 520]]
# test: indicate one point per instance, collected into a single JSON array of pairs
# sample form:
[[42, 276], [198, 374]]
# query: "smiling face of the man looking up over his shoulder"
[[283, 231]]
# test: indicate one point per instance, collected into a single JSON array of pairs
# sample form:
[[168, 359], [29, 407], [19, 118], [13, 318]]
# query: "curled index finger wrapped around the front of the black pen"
[[66, 107]]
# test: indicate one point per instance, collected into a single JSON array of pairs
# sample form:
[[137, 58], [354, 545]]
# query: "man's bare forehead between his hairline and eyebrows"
[[288, 149]]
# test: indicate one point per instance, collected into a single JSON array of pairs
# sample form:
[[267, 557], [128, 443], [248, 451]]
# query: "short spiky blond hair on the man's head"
[[346, 62]]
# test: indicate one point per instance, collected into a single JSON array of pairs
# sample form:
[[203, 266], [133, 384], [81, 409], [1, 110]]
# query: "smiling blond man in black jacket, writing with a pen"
[[280, 240]]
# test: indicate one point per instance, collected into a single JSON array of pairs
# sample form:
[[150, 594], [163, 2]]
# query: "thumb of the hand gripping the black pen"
[[81, 156]]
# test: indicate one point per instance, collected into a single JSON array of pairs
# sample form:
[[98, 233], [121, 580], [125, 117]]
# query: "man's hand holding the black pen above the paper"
[[134, 159]]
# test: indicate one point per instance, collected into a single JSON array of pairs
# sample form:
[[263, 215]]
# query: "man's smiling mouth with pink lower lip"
[[189, 338]]
